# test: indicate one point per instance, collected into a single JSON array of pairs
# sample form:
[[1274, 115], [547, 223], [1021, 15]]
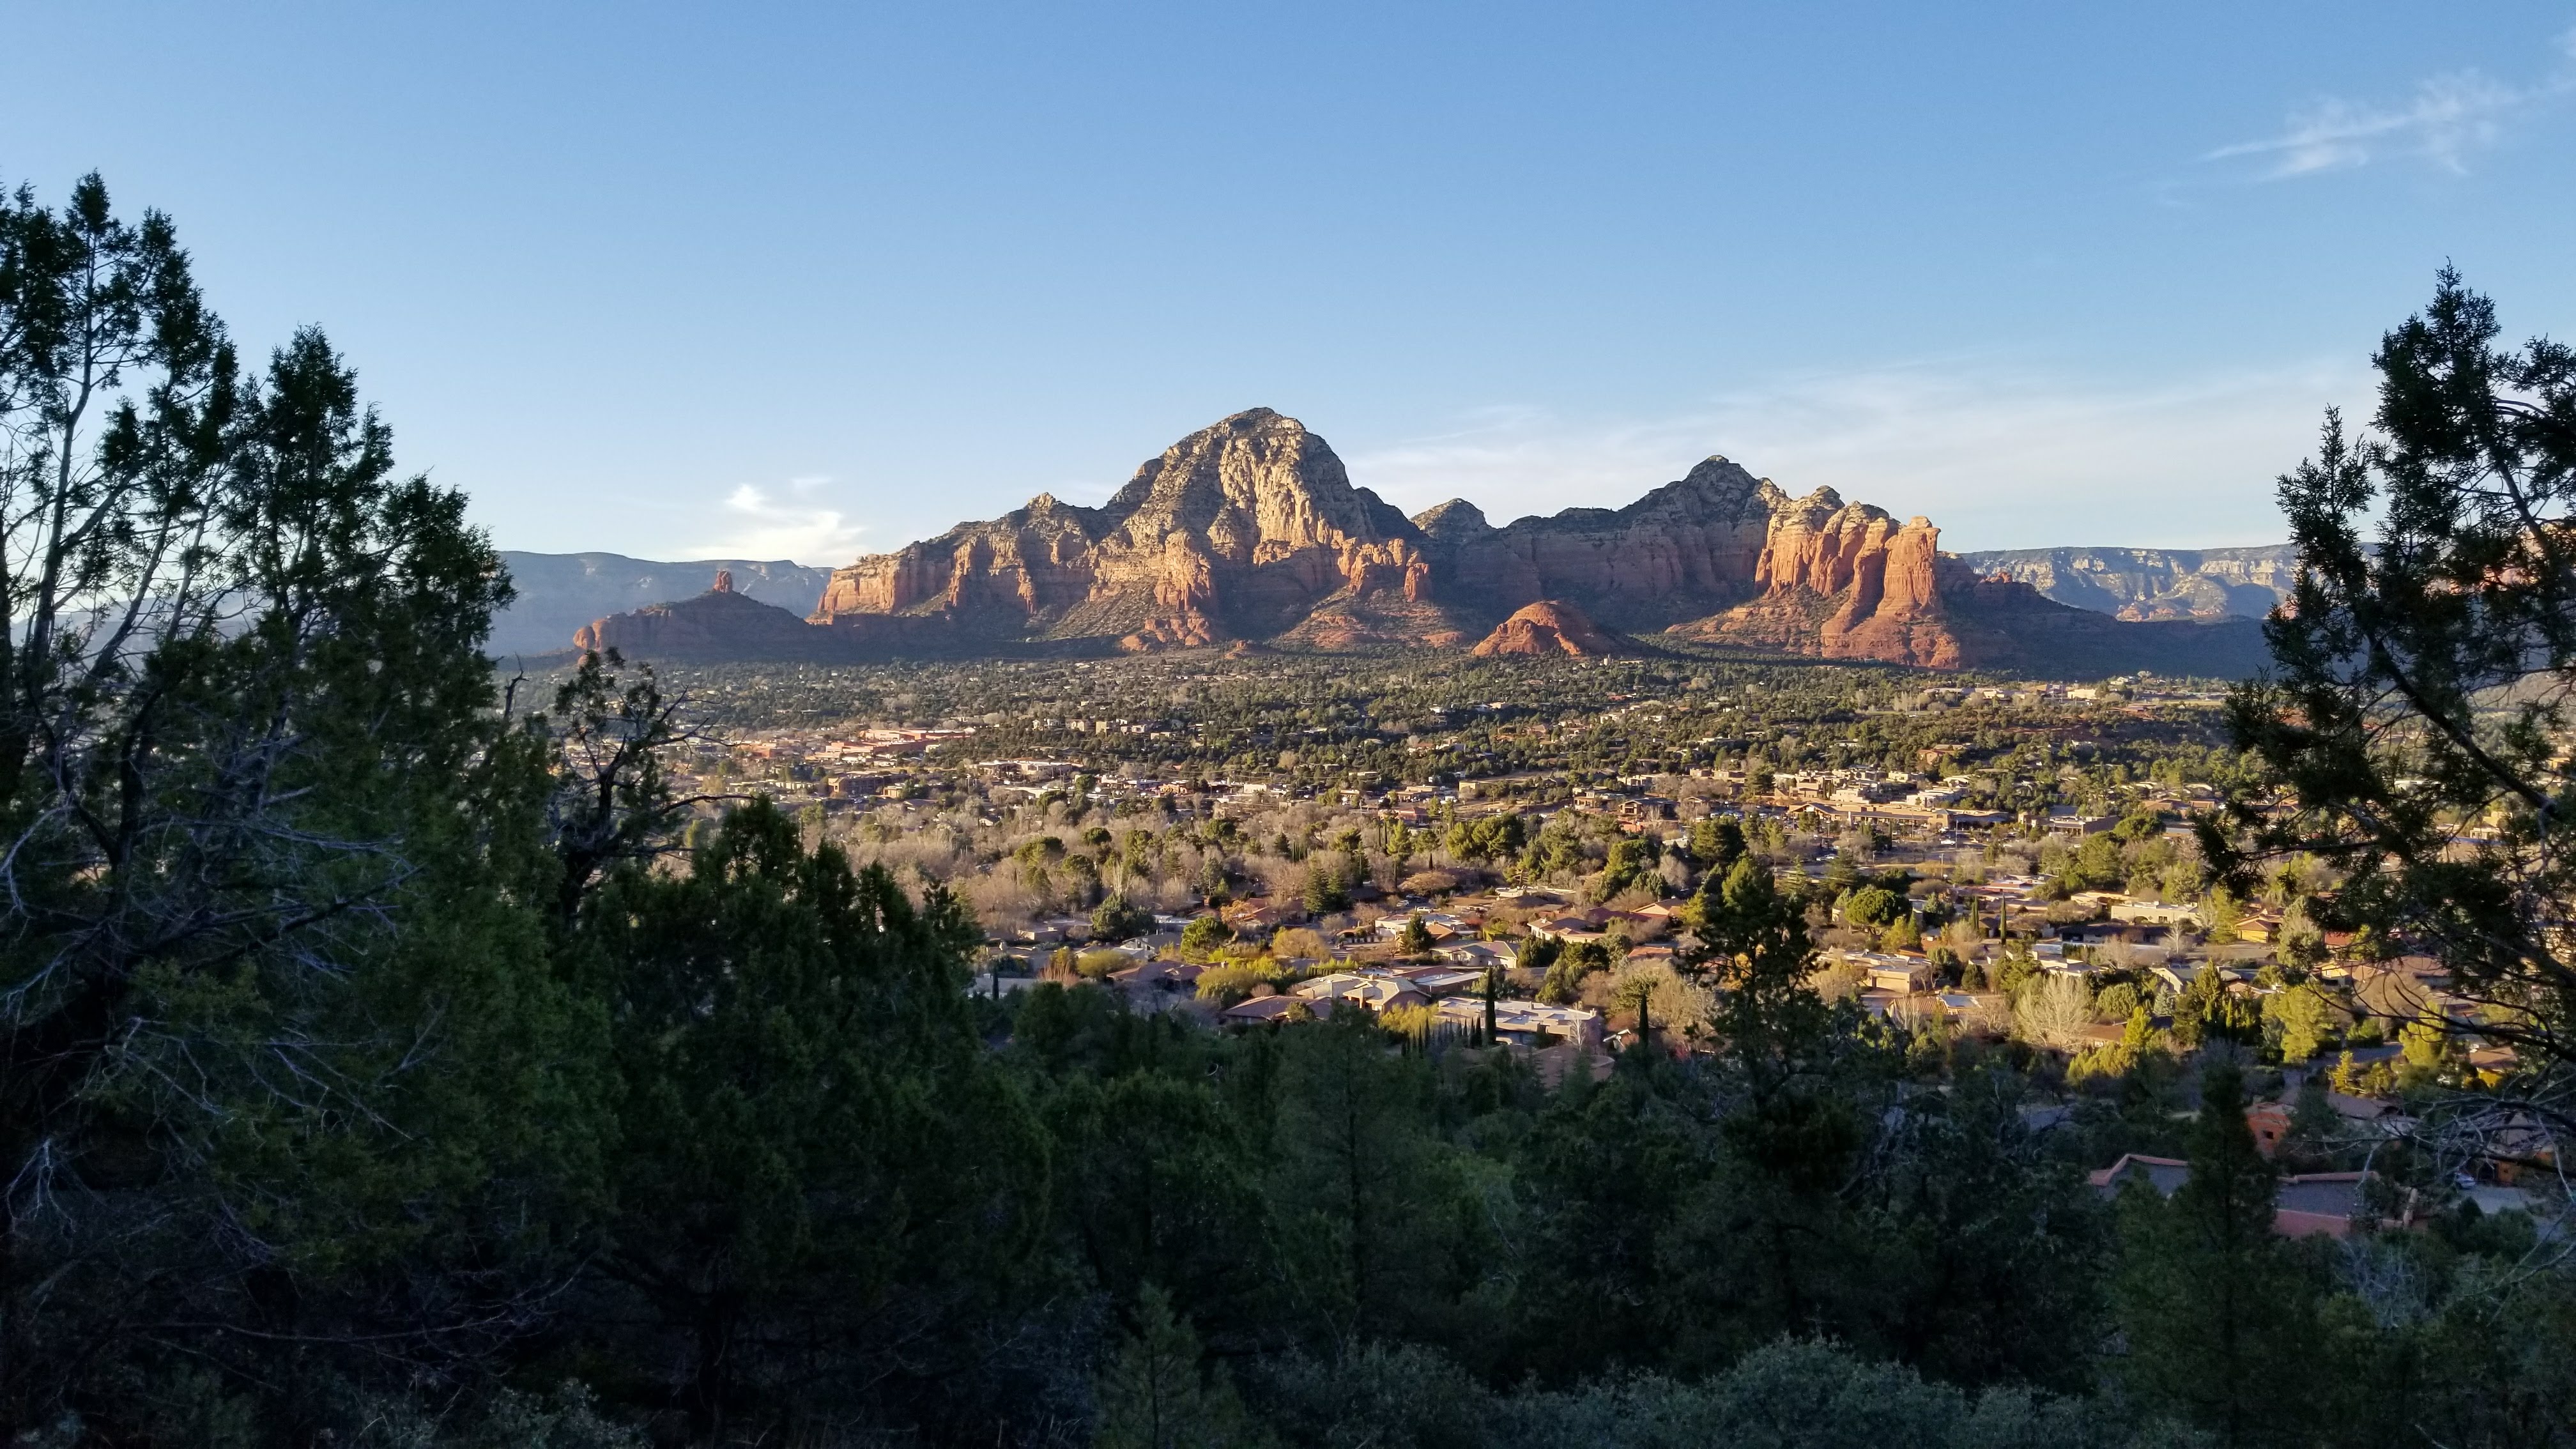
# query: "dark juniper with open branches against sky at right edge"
[[2418, 715]]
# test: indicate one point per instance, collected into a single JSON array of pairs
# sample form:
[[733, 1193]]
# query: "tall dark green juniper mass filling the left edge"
[[279, 1056]]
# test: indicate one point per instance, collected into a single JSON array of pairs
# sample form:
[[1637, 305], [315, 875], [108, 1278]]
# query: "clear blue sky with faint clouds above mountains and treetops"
[[810, 282]]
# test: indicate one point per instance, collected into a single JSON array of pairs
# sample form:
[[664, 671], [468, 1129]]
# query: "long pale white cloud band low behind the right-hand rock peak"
[[1998, 458]]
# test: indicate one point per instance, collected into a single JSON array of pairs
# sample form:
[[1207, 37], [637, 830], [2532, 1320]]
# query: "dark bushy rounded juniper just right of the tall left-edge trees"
[[808, 1123]]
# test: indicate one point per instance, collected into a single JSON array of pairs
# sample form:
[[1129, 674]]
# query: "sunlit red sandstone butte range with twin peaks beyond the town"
[[1251, 532]]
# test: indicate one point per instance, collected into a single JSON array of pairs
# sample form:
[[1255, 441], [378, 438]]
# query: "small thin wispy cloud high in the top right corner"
[[2448, 120]]
